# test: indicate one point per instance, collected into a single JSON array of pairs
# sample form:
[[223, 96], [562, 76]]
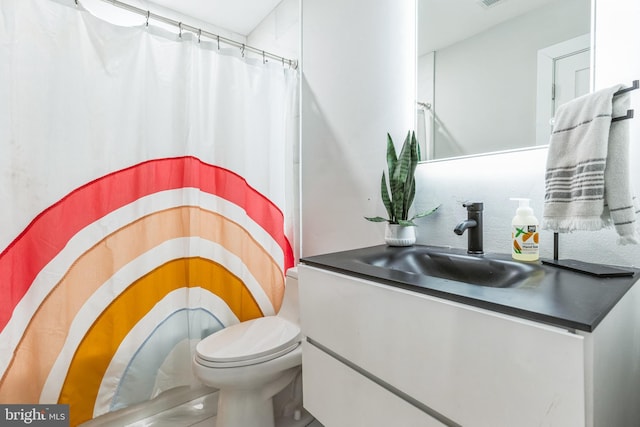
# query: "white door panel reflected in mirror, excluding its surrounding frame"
[[571, 77]]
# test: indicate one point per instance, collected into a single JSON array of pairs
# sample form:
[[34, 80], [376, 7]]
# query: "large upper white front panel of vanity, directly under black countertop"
[[473, 366]]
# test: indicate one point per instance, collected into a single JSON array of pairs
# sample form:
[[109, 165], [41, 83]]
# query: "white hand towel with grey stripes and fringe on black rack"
[[587, 180]]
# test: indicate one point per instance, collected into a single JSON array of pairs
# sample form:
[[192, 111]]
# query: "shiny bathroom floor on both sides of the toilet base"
[[197, 412]]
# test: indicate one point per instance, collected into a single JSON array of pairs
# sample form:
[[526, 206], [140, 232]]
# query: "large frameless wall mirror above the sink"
[[491, 72]]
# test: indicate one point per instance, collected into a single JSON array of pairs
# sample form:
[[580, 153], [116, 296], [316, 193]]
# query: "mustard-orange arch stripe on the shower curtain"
[[92, 357]]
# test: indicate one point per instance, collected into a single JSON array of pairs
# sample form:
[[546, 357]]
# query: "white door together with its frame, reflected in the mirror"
[[564, 73]]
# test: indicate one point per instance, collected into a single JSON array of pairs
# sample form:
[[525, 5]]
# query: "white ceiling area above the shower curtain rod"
[[239, 16]]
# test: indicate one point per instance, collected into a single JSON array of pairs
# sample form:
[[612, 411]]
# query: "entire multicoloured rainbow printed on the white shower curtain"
[[91, 338]]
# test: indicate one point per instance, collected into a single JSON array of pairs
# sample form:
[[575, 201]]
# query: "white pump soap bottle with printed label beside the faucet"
[[524, 233]]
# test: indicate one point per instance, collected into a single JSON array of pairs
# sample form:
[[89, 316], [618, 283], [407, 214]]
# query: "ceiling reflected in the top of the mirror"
[[444, 22]]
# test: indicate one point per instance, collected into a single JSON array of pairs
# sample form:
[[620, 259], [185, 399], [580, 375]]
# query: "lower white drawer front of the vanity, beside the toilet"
[[338, 396]]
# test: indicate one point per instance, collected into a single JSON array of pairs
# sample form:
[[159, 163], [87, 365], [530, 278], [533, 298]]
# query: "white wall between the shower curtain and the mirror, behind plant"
[[358, 82]]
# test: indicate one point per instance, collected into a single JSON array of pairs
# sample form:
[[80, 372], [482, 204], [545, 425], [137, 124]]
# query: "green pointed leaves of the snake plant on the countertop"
[[399, 194]]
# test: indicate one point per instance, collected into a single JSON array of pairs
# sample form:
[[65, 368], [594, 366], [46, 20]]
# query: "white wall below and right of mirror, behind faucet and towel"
[[494, 179]]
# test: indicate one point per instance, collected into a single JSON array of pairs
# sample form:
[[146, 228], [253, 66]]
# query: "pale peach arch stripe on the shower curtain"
[[47, 331]]
